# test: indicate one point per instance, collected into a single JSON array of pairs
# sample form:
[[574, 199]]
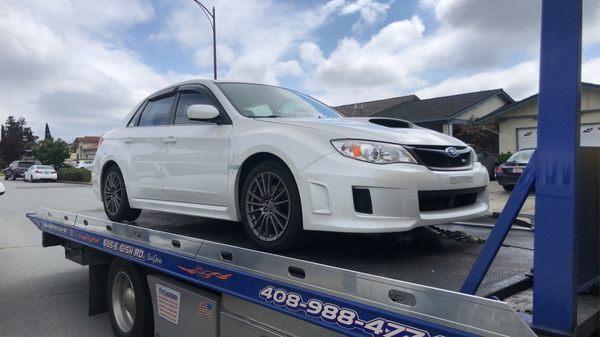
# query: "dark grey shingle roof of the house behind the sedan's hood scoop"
[[439, 108]]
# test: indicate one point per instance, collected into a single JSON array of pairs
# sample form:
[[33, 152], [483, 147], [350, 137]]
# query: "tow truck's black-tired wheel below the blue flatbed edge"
[[142, 321]]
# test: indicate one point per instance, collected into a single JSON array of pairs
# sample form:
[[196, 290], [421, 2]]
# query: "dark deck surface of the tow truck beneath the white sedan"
[[422, 256]]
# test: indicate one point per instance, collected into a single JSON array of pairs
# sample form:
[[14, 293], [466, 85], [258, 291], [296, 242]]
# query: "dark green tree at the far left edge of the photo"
[[16, 140]]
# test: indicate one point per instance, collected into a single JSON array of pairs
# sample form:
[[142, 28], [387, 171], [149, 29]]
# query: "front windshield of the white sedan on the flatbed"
[[264, 101]]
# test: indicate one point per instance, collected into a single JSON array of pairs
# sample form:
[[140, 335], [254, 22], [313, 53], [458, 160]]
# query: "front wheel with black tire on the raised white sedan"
[[291, 234]]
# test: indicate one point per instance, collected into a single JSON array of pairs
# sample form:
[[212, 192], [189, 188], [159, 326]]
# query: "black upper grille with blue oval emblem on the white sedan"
[[436, 157]]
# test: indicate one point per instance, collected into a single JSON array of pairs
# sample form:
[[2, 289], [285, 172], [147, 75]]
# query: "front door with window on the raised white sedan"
[[196, 164]]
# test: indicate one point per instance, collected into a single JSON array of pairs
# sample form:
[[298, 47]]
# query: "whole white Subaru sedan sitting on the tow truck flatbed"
[[283, 163]]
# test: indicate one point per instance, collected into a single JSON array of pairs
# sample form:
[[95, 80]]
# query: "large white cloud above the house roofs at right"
[[477, 45]]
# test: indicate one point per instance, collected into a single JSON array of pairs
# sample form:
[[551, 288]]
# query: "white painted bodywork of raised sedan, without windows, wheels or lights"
[[194, 169]]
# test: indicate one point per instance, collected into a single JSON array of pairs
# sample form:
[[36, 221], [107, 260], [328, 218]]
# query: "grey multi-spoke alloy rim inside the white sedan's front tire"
[[267, 205]]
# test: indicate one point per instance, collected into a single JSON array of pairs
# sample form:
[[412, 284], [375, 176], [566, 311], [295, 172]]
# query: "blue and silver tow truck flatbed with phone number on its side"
[[349, 285]]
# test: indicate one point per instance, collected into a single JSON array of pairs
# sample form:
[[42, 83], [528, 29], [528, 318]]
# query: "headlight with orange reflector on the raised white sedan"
[[373, 152]]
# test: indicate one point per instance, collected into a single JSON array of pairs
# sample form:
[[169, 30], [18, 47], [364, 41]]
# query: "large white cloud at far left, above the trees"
[[62, 64]]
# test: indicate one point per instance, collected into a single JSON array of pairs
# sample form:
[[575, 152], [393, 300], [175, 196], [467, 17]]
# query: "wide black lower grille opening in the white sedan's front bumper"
[[447, 199]]
